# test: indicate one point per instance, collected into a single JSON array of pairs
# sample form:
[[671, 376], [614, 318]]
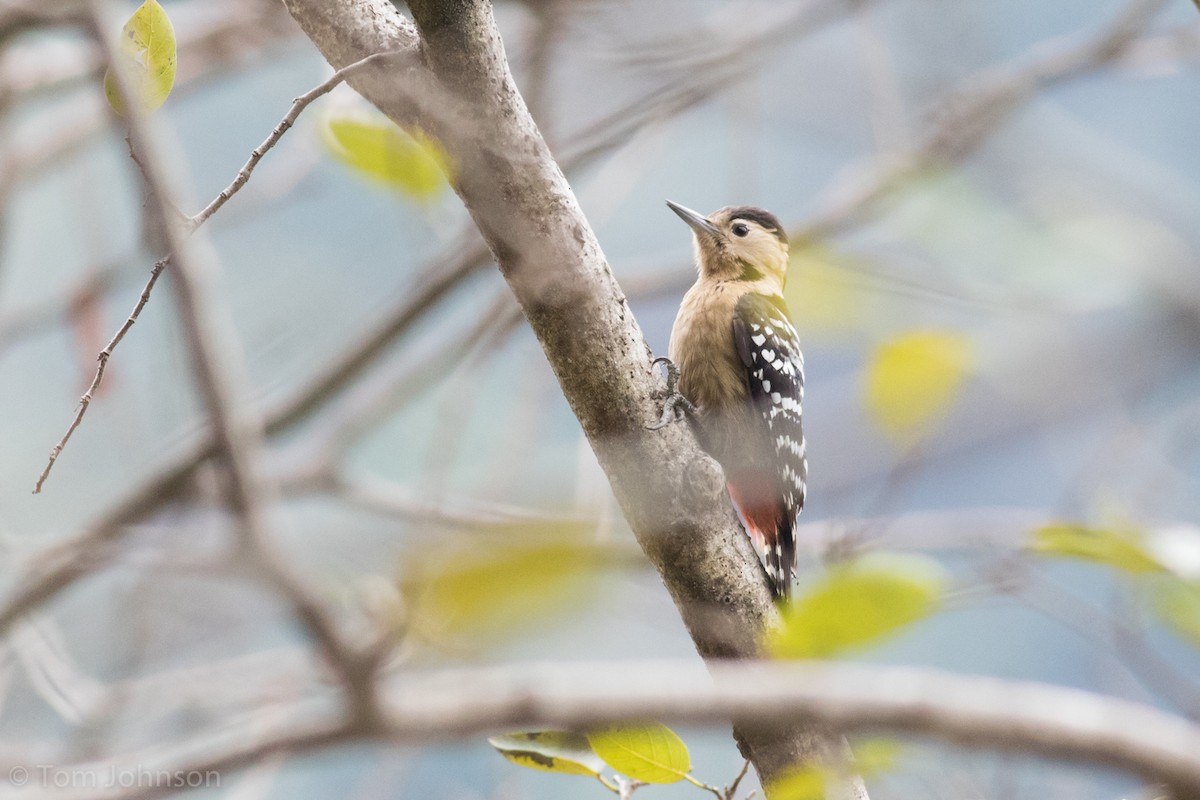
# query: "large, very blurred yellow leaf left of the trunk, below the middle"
[[496, 587]]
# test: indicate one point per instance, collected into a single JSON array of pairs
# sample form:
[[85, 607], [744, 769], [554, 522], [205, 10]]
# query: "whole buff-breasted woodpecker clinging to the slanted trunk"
[[740, 365]]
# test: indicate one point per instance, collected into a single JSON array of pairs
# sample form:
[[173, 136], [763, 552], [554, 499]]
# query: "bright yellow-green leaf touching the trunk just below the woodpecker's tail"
[[857, 604]]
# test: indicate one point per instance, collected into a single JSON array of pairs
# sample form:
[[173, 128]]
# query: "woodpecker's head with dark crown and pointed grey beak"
[[739, 243]]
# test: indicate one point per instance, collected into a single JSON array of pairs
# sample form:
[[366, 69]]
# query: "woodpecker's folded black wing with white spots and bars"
[[771, 352]]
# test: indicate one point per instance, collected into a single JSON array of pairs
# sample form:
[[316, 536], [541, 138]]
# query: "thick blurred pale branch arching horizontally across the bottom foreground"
[[968, 712]]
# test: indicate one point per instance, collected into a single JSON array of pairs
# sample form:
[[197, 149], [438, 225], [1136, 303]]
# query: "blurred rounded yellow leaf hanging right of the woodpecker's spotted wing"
[[913, 382]]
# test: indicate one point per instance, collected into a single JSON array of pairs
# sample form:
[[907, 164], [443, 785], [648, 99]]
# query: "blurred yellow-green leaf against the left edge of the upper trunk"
[[379, 149]]
